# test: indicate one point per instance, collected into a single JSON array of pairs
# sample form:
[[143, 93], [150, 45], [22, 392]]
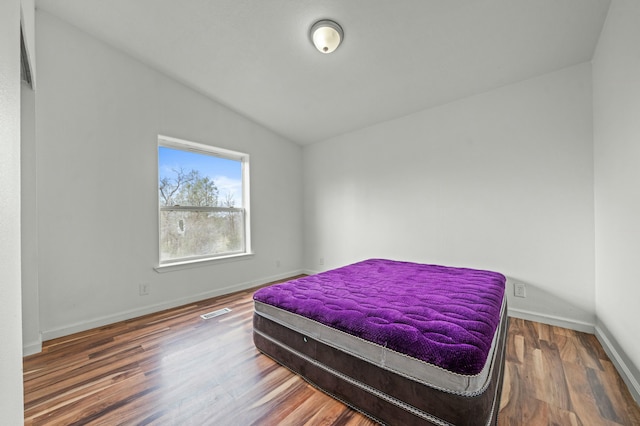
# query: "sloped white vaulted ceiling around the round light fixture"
[[398, 56]]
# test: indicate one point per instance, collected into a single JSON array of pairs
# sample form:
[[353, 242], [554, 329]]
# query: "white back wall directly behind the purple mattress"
[[502, 180]]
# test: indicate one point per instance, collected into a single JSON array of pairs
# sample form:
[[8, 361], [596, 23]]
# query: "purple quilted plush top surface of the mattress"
[[445, 316]]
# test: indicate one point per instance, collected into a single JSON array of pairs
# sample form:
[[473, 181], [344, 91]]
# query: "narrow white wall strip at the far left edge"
[[10, 298]]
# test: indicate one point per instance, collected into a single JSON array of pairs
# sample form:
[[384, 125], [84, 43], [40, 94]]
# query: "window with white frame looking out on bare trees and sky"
[[203, 195]]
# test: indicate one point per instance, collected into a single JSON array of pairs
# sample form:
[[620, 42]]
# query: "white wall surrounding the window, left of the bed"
[[98, 116]]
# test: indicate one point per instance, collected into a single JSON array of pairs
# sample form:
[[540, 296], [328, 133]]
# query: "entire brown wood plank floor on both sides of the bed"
[[173, 368]]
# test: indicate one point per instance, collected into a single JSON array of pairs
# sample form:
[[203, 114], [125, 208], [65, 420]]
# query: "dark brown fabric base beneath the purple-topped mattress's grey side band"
[[385, 396]]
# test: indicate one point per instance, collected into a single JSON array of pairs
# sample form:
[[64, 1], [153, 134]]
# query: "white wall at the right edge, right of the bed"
[[616, 86]]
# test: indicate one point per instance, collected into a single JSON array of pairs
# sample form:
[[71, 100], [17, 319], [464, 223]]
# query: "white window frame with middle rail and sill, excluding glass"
[[243, 158]]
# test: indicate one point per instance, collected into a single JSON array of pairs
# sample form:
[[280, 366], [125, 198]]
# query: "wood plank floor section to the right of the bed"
[[556, 376]]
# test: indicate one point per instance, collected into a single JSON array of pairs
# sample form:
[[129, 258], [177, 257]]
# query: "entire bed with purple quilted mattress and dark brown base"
[[405, 343]]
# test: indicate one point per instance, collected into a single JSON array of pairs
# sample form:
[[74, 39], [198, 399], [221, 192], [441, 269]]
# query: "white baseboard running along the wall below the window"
[[133, 313]]
